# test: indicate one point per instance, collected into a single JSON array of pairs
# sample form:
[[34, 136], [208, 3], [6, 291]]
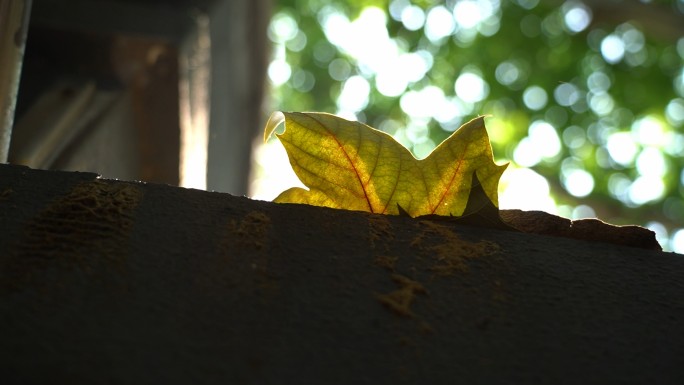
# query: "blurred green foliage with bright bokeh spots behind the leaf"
[[588, 95]]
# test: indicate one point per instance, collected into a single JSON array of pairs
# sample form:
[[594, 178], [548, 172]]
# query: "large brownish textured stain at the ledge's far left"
[[81, 230]]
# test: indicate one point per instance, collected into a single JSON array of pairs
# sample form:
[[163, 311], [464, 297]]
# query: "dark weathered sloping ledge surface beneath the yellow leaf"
[[114, 282]]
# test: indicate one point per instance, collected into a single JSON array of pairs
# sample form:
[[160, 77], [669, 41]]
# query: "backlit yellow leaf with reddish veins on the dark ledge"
[[352, 166]]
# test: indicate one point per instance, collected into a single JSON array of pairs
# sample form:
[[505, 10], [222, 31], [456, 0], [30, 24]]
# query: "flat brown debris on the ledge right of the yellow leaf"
[[540, 222]]
